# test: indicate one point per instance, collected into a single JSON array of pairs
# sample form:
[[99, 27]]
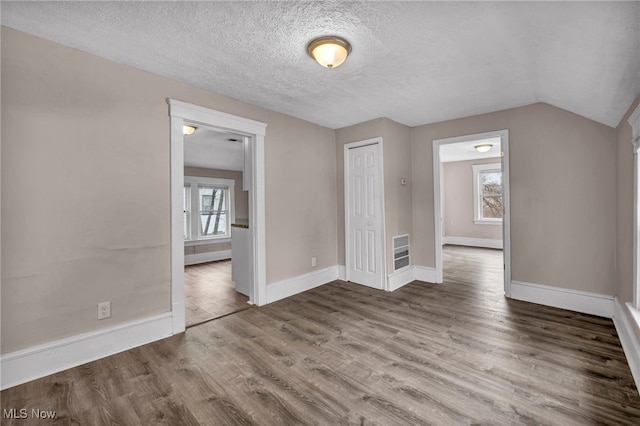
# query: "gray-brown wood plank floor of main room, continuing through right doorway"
[[447, 354]]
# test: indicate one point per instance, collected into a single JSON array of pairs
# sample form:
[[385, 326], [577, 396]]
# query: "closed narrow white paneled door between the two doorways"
[[364, 214]]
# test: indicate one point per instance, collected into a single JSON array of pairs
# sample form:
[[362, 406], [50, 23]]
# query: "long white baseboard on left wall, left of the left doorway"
[[32, 363]]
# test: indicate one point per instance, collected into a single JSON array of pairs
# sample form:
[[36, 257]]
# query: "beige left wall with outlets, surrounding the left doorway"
[[85, 190]]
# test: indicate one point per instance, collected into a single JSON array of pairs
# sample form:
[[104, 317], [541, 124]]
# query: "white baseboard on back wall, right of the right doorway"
[[573, 300]]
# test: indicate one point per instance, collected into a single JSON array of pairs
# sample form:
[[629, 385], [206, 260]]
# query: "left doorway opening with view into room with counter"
[[214, 203]]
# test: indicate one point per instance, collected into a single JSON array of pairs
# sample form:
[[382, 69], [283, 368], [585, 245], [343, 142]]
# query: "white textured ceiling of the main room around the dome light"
[[413, 62]]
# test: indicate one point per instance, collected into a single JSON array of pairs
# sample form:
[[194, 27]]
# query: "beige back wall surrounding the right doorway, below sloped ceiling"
[[561, 234]]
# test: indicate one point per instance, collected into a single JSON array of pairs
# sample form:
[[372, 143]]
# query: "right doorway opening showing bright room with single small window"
[[471, 207]]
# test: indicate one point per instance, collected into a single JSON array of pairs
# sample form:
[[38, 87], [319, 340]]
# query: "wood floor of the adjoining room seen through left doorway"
[[209, 292]]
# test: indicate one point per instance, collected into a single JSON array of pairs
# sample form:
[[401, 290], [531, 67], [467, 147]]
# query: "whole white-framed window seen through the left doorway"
[[208, 208]]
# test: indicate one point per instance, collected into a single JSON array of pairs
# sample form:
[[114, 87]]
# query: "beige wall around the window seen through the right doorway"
[[457, 202]]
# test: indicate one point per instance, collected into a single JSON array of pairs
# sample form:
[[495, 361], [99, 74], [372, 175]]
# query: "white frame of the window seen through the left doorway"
[[194, 183]]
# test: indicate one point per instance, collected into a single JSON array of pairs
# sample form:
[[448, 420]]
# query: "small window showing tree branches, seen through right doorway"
[[487, 194]]
